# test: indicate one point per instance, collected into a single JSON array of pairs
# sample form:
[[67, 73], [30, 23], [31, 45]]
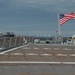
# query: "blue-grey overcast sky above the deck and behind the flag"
[[35, 17]]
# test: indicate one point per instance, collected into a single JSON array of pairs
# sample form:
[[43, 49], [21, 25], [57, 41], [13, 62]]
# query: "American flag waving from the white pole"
[[66, 17]]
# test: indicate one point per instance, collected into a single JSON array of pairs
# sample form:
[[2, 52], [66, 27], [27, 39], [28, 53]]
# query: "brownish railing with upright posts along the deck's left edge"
[[10, 42]]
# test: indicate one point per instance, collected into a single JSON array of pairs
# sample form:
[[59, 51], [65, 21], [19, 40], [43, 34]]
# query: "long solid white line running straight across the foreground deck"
[[35, 62]]
